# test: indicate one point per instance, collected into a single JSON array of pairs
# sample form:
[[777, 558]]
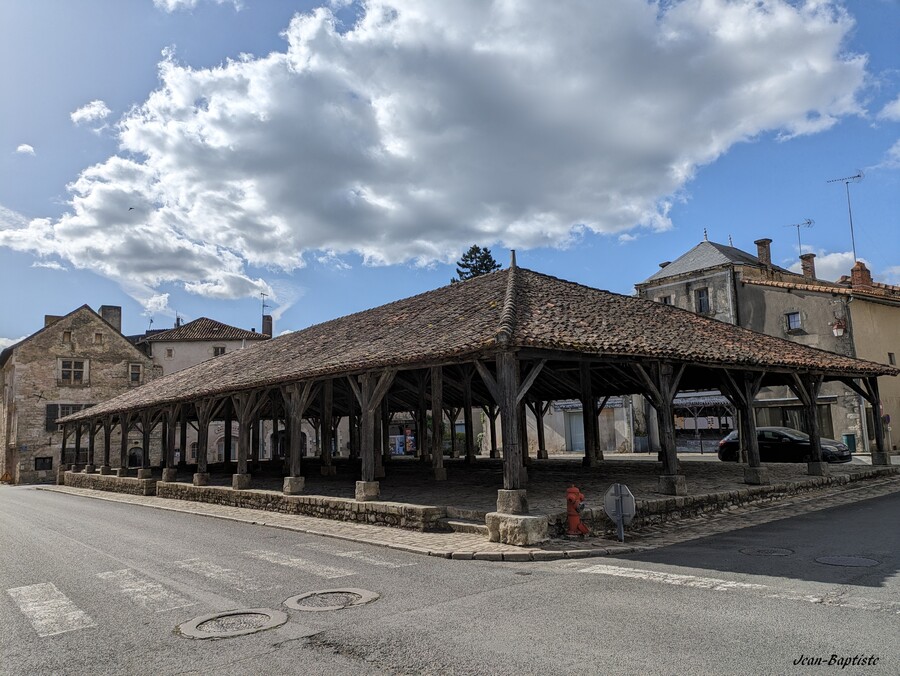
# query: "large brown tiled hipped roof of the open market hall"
[[514, 307]]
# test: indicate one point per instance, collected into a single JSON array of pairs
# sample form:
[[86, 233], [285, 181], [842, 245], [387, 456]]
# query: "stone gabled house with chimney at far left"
[[73, 362]]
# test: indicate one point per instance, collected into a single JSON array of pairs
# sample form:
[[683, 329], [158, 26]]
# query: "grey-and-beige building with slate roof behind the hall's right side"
[[854, 316]]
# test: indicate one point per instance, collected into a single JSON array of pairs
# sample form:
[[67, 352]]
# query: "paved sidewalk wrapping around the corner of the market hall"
[[477, 547]]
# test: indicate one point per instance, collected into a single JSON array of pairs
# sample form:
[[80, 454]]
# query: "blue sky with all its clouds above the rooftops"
[[182, 156]]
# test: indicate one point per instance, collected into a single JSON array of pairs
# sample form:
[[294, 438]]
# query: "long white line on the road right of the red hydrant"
[[835, 598]]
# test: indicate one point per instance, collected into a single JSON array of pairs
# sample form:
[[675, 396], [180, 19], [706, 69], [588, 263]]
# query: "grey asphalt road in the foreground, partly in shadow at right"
[[93, 587]]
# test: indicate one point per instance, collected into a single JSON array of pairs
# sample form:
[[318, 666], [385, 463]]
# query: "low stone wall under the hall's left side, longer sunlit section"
[[398, 515]]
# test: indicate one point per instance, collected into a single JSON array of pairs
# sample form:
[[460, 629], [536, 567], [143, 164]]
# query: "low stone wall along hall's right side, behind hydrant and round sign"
[[654, 512]]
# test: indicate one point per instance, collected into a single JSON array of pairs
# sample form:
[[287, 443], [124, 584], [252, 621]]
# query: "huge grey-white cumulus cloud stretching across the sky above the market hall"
[[424, 127]]
